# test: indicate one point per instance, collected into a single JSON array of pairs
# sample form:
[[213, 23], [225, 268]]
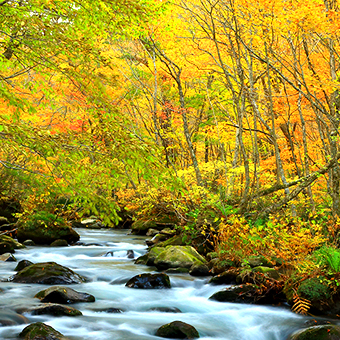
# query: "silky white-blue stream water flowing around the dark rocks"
[[108, 275]]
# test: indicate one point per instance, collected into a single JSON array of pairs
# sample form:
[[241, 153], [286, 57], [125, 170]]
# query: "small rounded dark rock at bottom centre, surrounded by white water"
[[177, 330]]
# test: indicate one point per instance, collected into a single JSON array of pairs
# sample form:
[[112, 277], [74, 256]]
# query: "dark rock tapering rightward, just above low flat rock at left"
[[65, 295]]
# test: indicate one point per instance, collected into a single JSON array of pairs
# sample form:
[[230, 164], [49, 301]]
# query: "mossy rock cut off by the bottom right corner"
[[324, 332]]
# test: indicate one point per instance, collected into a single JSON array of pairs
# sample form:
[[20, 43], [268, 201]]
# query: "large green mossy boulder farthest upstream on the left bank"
[[45, 228]]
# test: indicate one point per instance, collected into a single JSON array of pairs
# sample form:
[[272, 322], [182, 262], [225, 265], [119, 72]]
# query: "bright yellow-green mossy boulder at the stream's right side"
[[178, 256]]
